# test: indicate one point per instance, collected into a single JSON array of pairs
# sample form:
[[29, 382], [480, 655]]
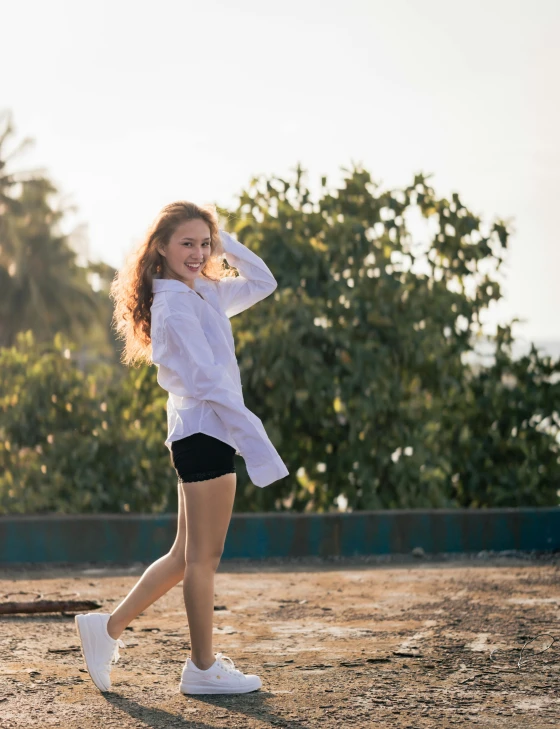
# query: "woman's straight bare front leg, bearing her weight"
[[209, 506]]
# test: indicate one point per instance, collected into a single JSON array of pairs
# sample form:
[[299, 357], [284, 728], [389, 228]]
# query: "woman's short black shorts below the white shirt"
[[199, 457]]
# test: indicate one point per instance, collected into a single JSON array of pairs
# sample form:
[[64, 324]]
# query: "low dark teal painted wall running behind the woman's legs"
[[136, 537]]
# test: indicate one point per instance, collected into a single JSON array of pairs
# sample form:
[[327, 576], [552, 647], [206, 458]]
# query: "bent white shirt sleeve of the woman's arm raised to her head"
[[254, 283]]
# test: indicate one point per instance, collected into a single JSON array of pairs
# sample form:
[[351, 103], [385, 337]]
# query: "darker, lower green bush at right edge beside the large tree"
[[502, 430]]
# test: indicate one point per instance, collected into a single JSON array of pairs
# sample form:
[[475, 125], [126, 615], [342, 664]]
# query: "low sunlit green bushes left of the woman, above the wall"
[[72, 442]]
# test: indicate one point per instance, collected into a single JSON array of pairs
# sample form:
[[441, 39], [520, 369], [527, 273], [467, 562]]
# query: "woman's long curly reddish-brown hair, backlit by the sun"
[[131, 288]]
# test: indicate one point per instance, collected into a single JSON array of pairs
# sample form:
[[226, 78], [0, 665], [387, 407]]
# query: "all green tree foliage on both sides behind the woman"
[[358, 364]]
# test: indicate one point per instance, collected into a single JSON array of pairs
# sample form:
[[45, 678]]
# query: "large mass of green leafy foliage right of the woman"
[[357, 363]]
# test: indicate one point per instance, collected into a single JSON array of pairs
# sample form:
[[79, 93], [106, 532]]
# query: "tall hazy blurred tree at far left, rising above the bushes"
[[43, 290]]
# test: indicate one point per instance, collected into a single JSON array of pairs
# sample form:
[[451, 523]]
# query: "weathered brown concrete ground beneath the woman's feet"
[[400, 642]]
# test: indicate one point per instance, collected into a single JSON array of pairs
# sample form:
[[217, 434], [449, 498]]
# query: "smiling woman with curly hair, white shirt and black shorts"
[[173, 302]]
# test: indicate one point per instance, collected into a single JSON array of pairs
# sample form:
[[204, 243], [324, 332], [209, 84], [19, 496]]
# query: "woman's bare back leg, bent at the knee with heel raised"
[[158, 579]]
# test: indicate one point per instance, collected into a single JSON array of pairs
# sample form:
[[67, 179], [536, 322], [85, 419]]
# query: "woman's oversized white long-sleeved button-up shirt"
[[193, 348]]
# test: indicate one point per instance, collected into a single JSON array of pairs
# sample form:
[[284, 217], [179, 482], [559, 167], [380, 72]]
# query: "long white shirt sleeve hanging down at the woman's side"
[[189, 355]]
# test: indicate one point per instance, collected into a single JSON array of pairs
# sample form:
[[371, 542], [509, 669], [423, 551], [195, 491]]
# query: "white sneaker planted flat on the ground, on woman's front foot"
[[221, 678]]
